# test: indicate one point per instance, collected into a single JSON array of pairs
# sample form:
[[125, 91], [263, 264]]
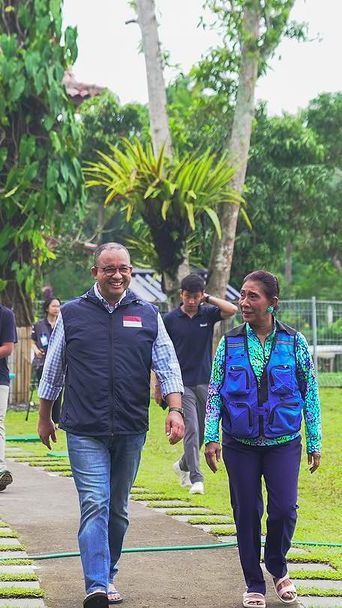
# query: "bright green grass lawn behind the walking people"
[[320, 514]]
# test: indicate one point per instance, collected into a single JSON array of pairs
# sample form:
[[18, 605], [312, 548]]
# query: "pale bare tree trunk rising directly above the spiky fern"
[[155, 78]]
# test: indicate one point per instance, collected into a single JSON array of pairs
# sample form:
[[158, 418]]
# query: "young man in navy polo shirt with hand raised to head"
[[190, 327]]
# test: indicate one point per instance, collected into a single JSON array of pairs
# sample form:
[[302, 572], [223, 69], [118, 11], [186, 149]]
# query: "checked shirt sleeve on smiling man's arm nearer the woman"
[[165, 363]]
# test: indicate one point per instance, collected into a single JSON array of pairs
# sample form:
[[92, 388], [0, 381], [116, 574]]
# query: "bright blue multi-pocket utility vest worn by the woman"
[[275, 407]]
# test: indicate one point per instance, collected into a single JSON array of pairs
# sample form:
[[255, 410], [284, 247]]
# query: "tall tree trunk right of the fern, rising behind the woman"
[[222, 250]]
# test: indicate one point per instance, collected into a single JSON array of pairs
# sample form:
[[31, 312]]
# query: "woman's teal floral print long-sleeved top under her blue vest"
[[259, 355]]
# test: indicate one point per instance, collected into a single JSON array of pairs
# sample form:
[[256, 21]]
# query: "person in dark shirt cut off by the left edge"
[[8, 337]]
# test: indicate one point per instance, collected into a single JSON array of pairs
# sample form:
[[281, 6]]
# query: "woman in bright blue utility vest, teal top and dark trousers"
[[262, 383]]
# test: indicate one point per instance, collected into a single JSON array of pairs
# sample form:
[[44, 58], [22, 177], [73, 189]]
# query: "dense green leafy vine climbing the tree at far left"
[[40, 175]]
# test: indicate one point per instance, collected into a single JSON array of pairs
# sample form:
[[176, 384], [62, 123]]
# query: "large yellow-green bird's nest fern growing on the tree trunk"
[[171, 195]]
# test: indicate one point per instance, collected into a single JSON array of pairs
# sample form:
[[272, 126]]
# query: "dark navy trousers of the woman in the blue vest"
[[279, 465]]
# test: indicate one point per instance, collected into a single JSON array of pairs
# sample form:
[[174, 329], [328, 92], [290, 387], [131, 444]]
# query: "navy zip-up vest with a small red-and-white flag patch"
[[108, 358]]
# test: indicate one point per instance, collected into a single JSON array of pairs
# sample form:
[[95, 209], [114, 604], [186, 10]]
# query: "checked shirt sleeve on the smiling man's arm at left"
[[53, 375]]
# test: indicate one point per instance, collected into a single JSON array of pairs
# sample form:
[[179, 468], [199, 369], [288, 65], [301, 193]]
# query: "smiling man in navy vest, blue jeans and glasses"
[[104, 344]]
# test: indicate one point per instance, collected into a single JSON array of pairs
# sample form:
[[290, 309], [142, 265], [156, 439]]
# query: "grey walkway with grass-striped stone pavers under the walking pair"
[[147, 580]]
